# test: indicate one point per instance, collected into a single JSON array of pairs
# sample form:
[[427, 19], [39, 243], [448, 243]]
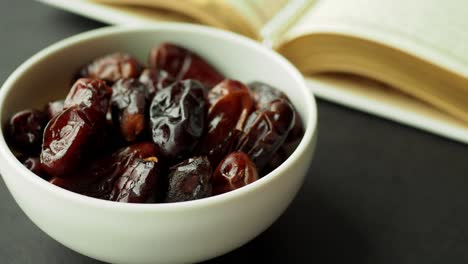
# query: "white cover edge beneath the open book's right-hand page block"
[[387, 102]]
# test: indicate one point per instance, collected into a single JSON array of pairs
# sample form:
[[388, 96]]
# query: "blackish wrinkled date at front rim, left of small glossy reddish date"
[[190, 180]]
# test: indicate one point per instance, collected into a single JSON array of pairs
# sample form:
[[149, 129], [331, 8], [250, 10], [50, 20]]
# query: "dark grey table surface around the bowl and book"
[[377, 191]]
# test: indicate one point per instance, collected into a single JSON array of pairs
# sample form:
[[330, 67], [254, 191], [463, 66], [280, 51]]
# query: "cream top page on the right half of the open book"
[[436, 30]]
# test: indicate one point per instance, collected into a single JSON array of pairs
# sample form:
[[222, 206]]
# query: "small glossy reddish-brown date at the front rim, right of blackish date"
[[234, 172]]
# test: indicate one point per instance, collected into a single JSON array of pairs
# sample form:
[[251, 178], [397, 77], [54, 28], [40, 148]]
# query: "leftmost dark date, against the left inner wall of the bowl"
[[25, 129]]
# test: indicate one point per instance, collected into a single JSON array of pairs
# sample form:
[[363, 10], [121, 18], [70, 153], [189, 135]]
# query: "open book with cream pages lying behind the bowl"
[[417, 47]]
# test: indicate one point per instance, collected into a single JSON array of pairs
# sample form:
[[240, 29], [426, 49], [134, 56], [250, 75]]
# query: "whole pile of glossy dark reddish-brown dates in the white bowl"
[[176, 130]]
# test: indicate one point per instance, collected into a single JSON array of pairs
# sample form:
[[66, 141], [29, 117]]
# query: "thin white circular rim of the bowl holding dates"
[[308, 138]]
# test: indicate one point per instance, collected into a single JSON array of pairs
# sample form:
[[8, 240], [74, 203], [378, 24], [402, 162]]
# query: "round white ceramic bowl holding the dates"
[[154, 233]]
